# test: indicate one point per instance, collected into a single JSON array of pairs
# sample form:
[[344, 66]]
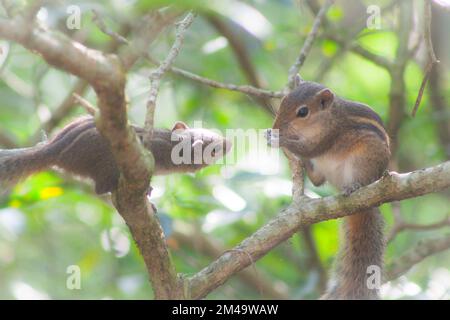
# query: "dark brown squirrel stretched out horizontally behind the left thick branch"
[[80, 149]]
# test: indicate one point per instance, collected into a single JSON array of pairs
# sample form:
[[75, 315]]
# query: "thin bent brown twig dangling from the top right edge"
[[431, 55]]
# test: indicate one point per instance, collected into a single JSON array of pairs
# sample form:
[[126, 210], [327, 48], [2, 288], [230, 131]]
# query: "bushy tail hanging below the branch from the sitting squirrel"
[[360, 260]]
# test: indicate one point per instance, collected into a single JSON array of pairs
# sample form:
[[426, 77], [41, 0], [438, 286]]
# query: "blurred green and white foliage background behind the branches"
[[52, 221]]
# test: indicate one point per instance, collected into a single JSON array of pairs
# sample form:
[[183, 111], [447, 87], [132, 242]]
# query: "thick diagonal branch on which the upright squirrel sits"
[[390, 188]]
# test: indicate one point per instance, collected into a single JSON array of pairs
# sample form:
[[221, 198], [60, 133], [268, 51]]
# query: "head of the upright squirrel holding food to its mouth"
[[304, 117]]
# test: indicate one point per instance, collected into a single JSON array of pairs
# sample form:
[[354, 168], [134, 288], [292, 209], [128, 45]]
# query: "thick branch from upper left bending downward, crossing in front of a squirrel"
[[106, 75]]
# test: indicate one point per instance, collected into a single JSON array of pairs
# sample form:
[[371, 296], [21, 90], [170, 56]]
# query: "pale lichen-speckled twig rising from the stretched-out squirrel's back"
[[156, 76]]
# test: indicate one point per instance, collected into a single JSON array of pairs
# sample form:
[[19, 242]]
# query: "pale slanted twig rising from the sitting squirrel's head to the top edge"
[[294, 69]]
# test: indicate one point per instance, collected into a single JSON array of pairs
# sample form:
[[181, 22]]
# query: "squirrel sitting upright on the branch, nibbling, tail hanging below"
[[345, 143]]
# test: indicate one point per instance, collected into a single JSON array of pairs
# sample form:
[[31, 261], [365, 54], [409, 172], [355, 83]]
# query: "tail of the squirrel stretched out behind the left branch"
[[17, 164]]
